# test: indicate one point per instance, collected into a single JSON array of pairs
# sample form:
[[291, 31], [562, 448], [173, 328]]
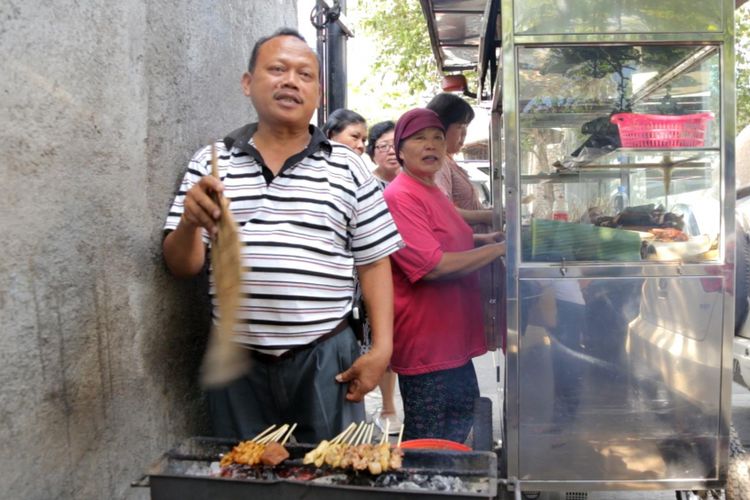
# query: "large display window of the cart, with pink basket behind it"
[[619, 153]]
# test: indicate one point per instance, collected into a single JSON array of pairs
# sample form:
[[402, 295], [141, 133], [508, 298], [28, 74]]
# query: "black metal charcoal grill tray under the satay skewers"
[[169, 480]]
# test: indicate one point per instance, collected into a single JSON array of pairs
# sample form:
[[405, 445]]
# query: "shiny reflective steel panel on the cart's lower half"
[[618, 378]]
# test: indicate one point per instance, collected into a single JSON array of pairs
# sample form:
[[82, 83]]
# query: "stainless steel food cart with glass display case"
[[612, 148]]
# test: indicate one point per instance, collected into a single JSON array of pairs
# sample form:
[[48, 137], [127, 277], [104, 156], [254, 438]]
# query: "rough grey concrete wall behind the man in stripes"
[[101, 106]]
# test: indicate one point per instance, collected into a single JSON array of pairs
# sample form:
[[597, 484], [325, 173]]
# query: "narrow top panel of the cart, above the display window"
[[548, 17]]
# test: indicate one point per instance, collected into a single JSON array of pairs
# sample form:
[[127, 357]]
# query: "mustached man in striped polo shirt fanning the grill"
[[308, 212]]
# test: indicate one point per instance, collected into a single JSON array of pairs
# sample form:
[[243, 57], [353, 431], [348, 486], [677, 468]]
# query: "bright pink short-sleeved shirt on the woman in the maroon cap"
[[438, 324]]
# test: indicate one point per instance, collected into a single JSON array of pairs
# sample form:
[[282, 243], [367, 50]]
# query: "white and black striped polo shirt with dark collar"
[[301, 234]]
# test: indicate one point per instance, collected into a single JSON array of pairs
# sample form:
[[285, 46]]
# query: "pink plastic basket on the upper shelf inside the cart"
[[662, 131]]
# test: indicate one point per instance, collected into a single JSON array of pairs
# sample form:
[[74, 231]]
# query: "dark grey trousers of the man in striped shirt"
[[300, 389]]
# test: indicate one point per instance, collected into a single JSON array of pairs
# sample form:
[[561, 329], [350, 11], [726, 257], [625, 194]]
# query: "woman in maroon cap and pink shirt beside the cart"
[[437, 312]]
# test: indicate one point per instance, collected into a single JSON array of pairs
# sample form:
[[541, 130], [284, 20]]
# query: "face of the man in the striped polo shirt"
[[284, 86]]
